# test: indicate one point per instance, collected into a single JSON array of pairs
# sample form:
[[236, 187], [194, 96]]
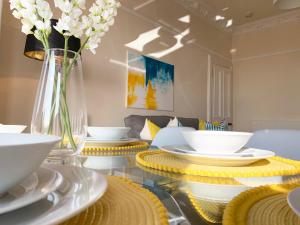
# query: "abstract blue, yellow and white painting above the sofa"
[[150, 83]]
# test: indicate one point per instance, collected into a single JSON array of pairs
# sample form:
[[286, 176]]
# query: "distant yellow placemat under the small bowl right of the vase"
[[139, 145]]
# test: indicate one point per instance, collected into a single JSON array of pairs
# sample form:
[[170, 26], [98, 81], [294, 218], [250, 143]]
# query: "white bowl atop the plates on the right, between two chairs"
[[216, 141]]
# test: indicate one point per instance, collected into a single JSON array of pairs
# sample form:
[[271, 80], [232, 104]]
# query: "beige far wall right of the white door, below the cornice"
[[267, 77]]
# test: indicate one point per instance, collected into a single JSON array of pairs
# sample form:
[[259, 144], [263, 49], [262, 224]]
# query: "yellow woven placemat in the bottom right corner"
[[265, 205]]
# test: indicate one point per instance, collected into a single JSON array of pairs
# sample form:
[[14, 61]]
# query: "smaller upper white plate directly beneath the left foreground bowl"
[[48, 181]]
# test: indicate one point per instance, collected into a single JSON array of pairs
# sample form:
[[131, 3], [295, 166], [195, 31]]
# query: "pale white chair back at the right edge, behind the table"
[[285, 143]]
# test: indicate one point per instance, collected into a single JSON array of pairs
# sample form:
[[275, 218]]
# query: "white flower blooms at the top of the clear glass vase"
[[72, 22]]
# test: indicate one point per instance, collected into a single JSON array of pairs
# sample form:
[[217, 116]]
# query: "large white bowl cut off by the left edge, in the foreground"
[[21, 155]]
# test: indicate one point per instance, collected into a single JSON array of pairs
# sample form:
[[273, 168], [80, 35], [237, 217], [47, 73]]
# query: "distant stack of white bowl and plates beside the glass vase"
[[108, 137]]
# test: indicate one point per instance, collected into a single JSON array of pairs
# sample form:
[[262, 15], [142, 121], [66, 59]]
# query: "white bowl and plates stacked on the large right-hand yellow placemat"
[[218, 148]]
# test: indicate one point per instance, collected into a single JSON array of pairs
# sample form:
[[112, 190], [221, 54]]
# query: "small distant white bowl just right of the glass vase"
[[108, 133]]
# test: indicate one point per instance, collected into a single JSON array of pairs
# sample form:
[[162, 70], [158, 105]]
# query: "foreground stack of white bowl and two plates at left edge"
[[36, 193]]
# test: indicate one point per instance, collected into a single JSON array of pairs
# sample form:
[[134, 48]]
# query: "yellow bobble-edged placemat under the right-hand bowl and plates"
[[275, 166]]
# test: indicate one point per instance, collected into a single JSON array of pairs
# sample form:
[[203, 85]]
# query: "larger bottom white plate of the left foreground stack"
[[81, 188]]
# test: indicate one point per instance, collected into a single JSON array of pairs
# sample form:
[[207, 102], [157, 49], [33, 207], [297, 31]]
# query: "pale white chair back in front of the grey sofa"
[[170, 136]]
